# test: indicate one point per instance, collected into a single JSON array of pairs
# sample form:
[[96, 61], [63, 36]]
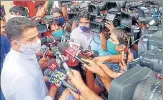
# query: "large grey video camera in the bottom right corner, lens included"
[[138, 83]]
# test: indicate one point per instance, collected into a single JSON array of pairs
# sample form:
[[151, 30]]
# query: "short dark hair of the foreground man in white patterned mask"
[[16, 26]]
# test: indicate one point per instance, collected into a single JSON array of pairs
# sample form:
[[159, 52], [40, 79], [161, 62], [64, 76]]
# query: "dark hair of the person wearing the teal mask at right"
[[122, 36]]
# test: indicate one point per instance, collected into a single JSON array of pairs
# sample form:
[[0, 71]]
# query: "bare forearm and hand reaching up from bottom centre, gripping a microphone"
[[76, 79]]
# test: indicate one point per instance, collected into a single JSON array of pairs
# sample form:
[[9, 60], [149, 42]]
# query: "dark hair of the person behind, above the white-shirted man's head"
[[19, 9]]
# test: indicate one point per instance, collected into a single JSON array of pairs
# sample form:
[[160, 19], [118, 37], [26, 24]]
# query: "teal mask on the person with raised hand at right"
[[111, 47]]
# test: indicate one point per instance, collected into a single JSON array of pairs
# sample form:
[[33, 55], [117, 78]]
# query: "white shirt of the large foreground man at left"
[[22, 78]]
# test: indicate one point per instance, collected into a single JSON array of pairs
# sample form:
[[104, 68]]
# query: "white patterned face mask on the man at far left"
[[31, 48]]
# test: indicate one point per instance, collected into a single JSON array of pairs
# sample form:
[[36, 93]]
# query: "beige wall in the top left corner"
[[7, 5]]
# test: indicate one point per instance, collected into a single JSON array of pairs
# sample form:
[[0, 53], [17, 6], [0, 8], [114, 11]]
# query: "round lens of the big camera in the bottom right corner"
[[148, 89]]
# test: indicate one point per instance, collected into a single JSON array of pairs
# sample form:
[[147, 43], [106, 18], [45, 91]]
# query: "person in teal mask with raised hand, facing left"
[[117, 42]]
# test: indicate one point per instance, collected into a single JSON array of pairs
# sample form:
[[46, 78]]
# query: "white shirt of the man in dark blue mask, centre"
[[84, 38]]
